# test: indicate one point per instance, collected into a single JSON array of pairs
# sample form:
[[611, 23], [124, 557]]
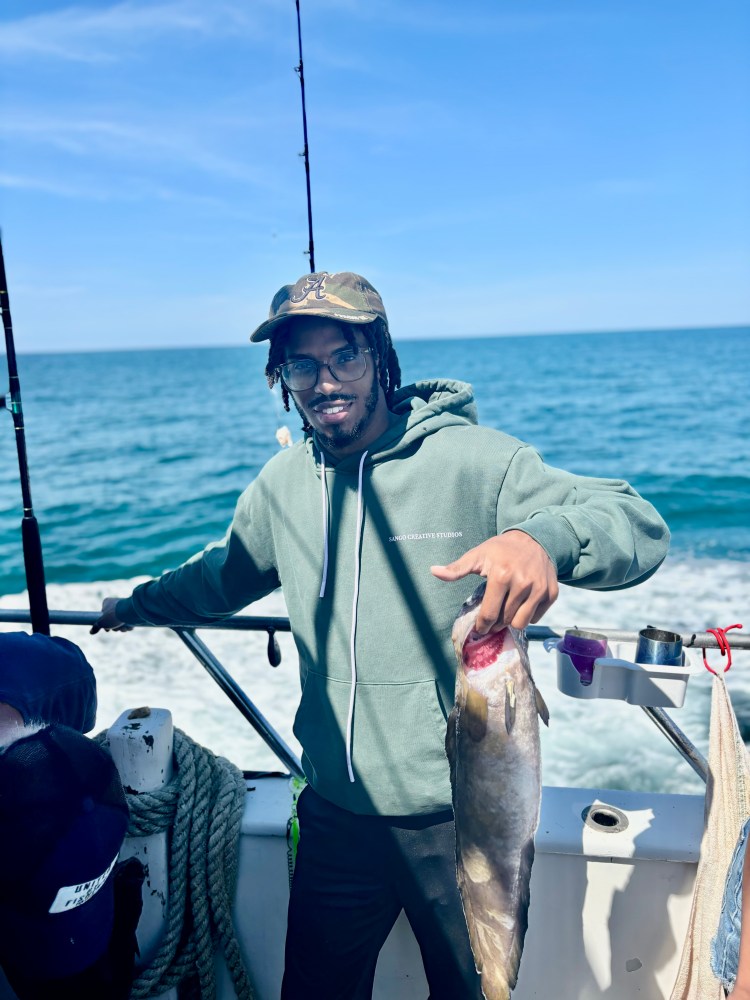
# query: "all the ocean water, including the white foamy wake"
[[137, 459]]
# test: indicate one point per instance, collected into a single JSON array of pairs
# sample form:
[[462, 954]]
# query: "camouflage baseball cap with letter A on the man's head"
[[343, 296]]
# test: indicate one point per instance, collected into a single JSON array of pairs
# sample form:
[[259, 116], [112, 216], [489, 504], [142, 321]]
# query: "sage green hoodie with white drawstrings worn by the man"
[[351, 542]]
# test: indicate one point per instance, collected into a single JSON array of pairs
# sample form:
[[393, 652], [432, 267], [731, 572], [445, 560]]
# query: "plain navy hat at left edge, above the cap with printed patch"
[[48, 679]]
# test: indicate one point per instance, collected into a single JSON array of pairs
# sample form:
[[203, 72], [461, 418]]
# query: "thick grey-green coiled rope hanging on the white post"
[[202, 806]]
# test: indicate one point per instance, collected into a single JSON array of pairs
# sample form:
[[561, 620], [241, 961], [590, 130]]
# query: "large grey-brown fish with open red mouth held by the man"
[[493, 748]]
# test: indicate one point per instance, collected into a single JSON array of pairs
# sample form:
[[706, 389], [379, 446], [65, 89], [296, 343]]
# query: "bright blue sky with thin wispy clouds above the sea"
[[492, 167]]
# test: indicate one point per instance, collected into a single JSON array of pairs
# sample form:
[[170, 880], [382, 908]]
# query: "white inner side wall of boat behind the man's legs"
[[608, 908]]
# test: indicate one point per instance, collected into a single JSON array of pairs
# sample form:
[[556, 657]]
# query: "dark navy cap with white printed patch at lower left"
[[63, 818]]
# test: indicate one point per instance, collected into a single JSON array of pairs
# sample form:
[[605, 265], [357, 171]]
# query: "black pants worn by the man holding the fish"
[[354, 875]]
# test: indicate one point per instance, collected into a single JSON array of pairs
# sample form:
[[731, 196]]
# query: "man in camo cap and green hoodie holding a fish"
[[371, 524]]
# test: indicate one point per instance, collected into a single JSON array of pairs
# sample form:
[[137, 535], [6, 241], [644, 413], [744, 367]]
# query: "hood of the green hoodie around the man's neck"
[[416, 410]]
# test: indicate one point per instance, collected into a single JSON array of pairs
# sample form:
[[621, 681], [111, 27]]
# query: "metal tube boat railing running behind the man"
[[271, 625]]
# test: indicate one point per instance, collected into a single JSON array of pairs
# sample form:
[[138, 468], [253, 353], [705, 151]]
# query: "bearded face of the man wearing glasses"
[[347, 416]]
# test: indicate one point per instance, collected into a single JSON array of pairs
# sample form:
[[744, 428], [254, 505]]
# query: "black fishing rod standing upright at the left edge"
[[32, 542]]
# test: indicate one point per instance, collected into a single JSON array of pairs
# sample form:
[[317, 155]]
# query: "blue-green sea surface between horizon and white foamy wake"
[[137, 457]]
